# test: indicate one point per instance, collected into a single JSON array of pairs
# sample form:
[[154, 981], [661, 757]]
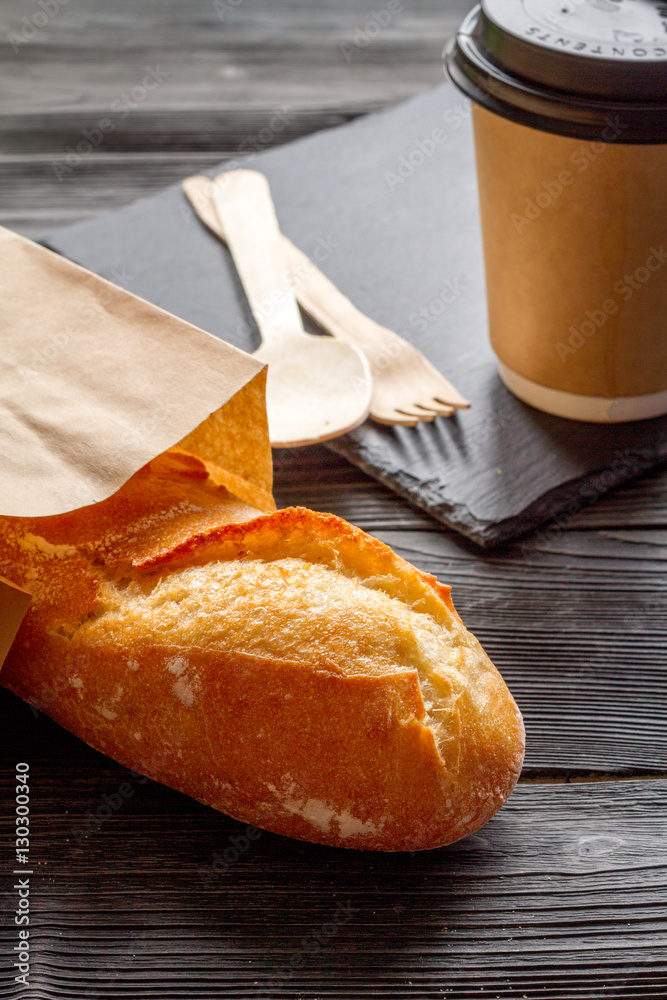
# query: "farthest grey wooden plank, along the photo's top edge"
[[89, 54]]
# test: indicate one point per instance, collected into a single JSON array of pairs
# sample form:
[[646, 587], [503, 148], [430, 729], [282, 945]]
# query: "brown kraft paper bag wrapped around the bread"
[[96, 382]]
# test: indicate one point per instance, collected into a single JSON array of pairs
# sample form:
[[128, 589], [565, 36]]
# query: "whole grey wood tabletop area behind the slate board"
[[222, 71]]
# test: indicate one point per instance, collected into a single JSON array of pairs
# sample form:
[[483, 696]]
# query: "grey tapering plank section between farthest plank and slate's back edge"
[[53, 175]]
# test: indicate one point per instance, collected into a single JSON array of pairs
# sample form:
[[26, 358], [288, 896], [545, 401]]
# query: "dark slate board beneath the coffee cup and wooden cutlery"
[[387, 205]]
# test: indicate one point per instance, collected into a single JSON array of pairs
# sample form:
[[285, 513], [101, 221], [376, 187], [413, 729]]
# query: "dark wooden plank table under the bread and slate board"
[[563, 894]]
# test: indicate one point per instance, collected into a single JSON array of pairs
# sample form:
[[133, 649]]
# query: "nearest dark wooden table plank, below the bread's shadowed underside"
[[561, 895]]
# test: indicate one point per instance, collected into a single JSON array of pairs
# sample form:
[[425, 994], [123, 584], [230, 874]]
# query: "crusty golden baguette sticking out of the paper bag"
[[285, 668]]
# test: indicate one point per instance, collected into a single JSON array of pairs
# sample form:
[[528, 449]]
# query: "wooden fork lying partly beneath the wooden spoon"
[[407, 388]]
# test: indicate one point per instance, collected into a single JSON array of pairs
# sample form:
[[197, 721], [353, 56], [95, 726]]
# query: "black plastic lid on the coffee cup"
[[591, 69]]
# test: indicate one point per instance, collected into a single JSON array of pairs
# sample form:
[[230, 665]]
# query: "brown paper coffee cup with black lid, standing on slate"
[[570, 121]]
